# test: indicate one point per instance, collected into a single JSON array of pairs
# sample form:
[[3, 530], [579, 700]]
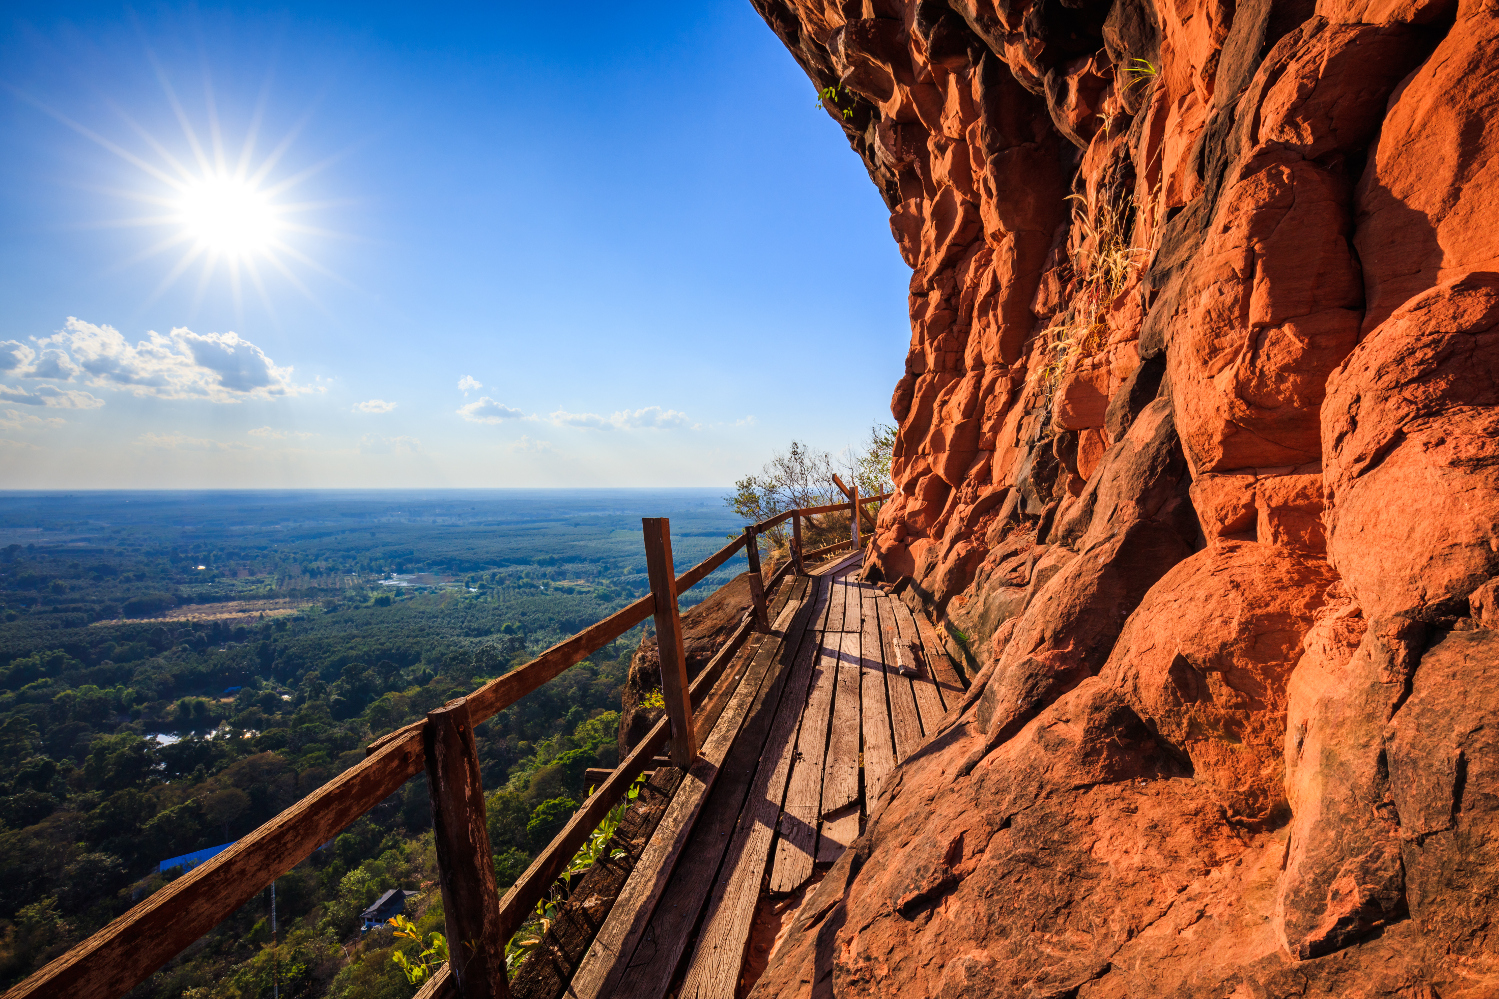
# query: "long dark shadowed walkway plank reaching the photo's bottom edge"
[[672, 925]]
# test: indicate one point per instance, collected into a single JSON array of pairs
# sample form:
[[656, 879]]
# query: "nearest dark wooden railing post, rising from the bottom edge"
[[465, 868]]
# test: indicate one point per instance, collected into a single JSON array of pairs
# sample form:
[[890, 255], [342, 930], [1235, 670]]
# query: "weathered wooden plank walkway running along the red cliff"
[[815, 718]]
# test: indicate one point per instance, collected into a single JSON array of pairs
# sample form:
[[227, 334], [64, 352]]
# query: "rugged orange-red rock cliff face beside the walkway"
[[1198, 469]]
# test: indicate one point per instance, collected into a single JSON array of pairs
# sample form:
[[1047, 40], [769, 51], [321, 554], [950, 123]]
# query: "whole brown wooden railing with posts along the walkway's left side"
[[136, 946]]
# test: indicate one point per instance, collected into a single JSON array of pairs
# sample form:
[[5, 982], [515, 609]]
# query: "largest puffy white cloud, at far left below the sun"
[[182, 365]]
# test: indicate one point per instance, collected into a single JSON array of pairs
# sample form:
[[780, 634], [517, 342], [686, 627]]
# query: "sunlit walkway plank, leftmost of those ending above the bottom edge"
[[798, 823]]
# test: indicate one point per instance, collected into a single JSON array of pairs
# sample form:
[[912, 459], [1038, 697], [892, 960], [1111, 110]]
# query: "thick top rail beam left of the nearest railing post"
[[133, 947]]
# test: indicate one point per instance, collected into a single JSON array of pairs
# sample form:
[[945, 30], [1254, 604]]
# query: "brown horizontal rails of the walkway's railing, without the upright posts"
[[139, 943]]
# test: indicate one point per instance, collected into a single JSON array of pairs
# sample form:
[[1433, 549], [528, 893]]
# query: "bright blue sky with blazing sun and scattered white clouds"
[[527, 245]]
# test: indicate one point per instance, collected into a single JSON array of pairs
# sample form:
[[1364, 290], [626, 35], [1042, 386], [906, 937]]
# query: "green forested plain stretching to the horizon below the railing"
[[176, 670]]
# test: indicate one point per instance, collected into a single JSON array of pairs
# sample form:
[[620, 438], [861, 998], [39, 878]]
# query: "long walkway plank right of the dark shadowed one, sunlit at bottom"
[[719, 953]]
